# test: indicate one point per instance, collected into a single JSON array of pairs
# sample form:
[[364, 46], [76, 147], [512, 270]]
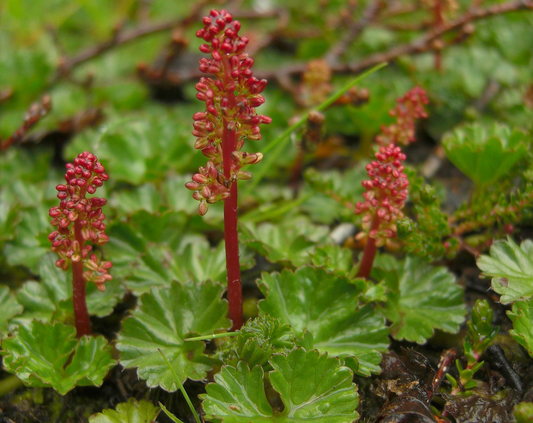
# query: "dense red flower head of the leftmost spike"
[[79, 219]]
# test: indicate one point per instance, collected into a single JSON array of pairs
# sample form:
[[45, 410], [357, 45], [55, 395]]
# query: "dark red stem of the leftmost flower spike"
[[81, 315]]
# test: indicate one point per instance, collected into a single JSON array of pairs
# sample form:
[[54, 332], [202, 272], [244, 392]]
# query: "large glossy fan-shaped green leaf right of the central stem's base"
[[324, 311]]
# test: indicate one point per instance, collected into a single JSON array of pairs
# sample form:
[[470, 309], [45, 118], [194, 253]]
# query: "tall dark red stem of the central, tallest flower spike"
[[230, 217]]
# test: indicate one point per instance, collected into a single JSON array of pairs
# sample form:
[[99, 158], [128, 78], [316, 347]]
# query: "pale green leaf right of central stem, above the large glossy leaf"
[[291, 241]]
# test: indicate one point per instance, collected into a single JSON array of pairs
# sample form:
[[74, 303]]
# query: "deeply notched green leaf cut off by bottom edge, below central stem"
[[325, 394]]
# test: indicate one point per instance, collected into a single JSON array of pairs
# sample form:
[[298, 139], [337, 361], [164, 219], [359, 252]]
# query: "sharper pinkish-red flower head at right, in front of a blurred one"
[[386, 192]]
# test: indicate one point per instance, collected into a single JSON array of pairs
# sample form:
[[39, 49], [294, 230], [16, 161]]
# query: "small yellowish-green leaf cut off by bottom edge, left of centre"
[[132, 411]]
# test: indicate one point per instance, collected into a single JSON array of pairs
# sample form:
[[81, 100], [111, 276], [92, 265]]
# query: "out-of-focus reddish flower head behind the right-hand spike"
[[409, 108]]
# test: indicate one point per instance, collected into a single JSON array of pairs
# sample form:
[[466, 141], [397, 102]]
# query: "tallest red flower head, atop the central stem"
[[230, 101]]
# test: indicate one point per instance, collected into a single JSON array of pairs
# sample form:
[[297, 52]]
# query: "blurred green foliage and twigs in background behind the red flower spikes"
[[121, 75]]
